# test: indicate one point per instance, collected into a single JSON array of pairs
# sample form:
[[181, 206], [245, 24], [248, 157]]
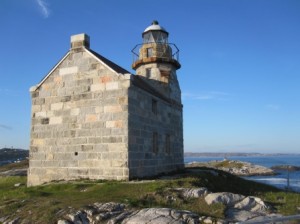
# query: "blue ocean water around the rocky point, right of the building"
[[281, 180]]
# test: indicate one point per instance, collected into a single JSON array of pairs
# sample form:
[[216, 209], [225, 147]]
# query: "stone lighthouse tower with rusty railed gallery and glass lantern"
[[157, 60]]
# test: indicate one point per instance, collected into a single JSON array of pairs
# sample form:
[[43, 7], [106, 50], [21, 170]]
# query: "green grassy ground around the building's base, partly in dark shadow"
[[44, 204]]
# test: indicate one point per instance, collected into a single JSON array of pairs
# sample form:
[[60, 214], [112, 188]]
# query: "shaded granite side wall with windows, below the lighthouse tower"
[[155, 134]]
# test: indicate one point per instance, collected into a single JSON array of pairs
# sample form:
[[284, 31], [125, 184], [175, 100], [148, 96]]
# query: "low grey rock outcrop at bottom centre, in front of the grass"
[[115, 213]]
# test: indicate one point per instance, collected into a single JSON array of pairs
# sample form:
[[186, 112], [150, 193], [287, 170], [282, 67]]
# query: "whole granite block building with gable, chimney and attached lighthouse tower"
[[92, 119]]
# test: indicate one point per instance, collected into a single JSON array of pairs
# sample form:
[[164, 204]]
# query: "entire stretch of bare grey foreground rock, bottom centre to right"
[[238, 208]]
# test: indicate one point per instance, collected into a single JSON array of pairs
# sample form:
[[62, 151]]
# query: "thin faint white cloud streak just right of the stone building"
[[209, 95]]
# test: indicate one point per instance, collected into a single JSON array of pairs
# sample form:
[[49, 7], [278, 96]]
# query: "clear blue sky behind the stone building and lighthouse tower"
[[240, 74]]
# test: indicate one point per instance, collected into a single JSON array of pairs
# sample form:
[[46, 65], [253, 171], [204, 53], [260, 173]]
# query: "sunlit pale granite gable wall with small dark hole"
[[79, 122]]
